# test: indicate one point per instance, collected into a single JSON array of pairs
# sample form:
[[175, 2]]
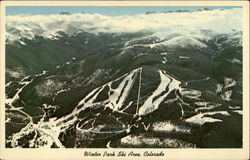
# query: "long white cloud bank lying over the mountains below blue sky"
[[162, 24]]
